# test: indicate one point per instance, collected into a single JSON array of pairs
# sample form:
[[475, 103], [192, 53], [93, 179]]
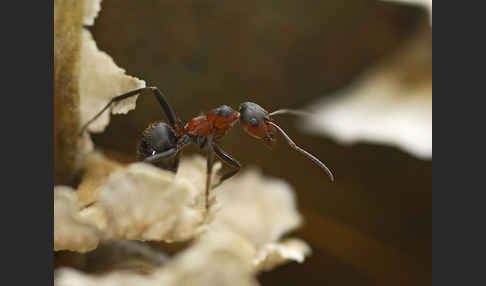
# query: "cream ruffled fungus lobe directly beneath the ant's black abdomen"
[[136, 202]]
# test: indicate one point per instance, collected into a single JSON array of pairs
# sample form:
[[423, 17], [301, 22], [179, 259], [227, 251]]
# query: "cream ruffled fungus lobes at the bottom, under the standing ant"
[[241, 236]]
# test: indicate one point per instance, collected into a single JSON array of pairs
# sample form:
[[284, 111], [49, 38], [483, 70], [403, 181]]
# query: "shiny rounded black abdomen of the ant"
[[157, 138]]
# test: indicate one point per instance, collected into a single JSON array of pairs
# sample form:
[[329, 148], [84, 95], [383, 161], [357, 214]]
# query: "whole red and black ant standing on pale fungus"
[[161, 141]]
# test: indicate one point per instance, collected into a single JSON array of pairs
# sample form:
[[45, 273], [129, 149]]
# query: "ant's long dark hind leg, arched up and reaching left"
[[169, 112]]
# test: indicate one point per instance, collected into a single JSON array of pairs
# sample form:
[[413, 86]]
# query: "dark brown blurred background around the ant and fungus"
[[373, 225]]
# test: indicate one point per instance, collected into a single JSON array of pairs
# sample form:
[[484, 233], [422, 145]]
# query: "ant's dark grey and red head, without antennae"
[[255, 122]]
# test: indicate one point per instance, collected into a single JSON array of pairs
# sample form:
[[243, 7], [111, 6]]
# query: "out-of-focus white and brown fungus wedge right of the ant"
[[390, 104]]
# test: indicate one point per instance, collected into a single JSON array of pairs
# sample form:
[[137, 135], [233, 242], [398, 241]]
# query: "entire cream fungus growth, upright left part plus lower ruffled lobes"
[[117, 207]]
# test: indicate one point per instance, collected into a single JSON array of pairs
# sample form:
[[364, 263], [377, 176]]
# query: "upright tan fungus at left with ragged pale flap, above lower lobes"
[[84, 79]]
